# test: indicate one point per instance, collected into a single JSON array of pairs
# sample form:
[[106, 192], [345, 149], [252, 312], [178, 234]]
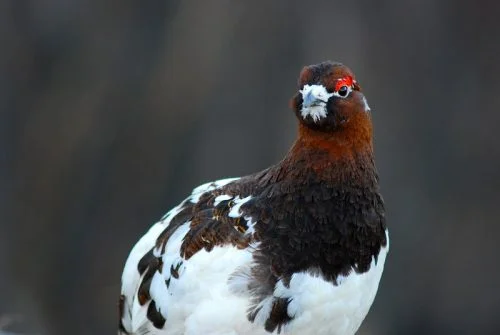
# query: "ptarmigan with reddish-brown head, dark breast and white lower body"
[[298, 248]]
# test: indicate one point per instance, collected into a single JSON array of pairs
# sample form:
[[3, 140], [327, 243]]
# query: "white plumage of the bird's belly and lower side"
[[201, 301]]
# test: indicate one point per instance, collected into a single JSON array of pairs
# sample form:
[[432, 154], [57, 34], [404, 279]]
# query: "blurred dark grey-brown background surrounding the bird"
[[112, 111]]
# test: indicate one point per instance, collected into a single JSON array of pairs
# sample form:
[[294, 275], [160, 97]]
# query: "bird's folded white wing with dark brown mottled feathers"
[[208, 218]]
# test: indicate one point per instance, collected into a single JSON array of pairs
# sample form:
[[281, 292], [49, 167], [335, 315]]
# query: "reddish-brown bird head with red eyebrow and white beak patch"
[[329, 98]]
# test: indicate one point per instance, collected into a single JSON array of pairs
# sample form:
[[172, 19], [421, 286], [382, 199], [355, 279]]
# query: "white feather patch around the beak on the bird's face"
[[319, 96]]
